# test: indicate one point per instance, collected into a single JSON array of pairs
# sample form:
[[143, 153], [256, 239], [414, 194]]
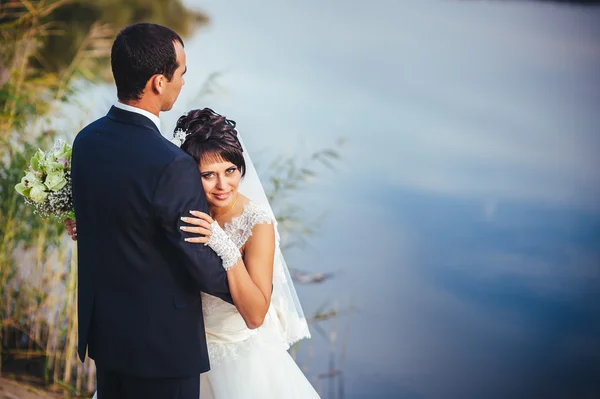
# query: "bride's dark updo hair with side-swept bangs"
[[211, 137]]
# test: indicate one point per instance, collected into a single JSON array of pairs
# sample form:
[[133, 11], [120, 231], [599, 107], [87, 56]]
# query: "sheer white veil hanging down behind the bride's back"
[[284, 300]]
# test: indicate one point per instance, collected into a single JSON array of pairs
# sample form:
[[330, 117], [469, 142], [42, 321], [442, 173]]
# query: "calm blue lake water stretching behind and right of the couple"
[[463, 220]]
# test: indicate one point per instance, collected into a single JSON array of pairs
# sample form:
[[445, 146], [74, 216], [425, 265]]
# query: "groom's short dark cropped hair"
[[139, 52]]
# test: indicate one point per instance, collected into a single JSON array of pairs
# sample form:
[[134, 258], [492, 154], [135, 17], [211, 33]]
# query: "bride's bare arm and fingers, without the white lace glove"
[[250, 278]]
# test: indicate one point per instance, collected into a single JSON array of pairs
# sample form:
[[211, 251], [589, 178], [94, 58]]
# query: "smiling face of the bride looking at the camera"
[[220, 180]]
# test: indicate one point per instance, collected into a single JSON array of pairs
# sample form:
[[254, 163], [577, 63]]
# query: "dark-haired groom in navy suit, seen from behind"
[[140, 315]]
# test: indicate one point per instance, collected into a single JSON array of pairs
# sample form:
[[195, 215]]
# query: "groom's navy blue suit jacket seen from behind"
[[139, 303]]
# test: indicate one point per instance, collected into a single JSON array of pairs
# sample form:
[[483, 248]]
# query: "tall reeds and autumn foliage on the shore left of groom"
[[49, 49]]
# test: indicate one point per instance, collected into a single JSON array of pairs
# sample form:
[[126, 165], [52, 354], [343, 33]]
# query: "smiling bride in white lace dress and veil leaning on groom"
[[248, 342]]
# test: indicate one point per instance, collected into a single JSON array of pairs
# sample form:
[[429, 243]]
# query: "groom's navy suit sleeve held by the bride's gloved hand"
[[179, 190]]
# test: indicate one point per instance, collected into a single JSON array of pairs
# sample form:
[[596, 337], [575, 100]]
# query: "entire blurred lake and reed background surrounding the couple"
[[434, 166]]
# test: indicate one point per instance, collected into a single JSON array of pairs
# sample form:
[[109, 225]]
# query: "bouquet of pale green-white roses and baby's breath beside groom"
[[46, 185]]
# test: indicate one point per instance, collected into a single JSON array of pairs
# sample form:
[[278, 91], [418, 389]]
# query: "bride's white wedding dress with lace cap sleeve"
[[248, 364]]
